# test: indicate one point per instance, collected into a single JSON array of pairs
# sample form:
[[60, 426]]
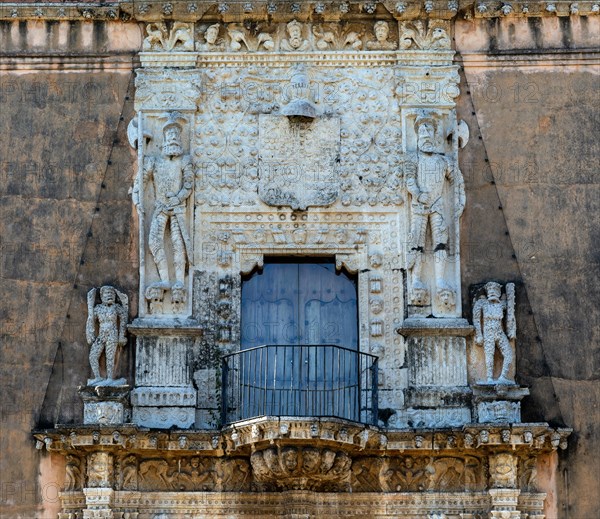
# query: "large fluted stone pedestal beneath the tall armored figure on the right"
[[438, 394]]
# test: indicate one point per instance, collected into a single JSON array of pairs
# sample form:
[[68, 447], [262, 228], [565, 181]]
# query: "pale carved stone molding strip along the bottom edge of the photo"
[[304, 503]]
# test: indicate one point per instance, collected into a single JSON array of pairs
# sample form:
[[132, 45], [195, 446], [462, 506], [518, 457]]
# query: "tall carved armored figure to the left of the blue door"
[[173, 176]]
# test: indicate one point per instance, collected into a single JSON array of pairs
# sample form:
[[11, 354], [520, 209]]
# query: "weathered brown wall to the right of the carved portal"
[[530, 97]]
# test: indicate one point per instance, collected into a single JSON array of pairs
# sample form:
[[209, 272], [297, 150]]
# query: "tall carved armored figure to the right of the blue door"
[[426, 184]]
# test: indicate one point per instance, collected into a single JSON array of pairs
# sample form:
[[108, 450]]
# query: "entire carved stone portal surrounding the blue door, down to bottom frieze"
[[294, 136]]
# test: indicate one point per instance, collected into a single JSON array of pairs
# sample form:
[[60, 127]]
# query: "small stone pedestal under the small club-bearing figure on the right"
[[498, 403]]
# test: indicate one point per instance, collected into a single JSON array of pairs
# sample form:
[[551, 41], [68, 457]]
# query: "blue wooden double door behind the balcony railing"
[[299, 311]]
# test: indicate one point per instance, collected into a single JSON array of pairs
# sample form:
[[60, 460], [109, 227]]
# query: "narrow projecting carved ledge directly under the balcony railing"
[[245, 437]]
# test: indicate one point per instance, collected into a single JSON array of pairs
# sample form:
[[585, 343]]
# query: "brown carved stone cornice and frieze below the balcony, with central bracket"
[[281, 454]]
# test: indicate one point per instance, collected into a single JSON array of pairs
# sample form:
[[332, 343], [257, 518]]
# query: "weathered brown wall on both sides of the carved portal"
[[528, 93]]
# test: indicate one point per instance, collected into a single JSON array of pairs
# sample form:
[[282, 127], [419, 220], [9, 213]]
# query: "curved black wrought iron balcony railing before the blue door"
[[308, 380]]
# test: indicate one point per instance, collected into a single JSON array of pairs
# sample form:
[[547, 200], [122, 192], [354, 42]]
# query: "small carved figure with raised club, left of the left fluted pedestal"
[[112, 319]]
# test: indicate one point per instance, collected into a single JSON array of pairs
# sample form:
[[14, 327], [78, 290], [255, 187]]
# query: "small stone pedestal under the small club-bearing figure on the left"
[[105, 405]]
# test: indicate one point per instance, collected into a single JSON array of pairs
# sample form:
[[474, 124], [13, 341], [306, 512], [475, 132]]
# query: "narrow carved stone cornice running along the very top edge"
[[280, 10]]
